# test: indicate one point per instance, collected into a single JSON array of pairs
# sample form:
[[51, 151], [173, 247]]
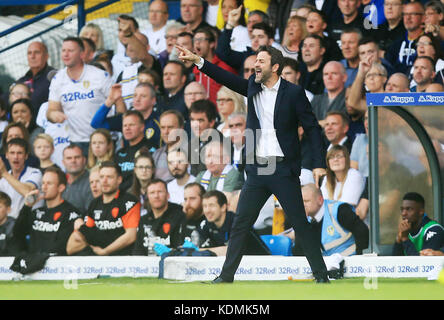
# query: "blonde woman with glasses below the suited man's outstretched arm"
[[228, 102]]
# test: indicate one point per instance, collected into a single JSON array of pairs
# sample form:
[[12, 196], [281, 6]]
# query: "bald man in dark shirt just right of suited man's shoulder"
[[334, 77]]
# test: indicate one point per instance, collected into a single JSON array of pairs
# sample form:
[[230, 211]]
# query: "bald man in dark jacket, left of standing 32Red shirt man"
[[37, 76]]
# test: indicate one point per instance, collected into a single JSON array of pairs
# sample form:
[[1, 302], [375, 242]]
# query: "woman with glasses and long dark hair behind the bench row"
[[143, 173]]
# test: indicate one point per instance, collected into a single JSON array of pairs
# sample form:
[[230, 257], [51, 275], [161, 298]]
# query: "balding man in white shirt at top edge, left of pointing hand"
[[158, 17]]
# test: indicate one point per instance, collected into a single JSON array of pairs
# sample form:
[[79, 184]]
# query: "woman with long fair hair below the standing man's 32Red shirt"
[[101, 147]]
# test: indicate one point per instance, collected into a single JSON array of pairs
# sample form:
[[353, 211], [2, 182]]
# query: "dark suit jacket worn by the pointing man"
[[292, 107]]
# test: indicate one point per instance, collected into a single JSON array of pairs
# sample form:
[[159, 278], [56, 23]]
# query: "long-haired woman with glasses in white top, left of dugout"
[[342, 183]]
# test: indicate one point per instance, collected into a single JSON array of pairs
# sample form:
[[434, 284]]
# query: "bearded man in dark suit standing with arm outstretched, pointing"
[[275, 107]]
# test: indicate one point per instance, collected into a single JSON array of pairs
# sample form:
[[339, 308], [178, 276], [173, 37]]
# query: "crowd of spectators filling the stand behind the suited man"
[[142, 137]]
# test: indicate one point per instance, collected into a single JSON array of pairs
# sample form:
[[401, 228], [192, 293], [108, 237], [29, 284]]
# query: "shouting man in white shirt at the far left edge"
[[21, 179]]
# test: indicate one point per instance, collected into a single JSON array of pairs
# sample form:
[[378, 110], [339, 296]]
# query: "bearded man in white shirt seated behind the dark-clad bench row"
[[178, 166]]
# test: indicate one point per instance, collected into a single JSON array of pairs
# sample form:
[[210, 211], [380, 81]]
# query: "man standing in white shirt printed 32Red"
[[76, 93]]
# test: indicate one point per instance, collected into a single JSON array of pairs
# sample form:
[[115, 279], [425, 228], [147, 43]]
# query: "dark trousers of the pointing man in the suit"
[[255, 192]]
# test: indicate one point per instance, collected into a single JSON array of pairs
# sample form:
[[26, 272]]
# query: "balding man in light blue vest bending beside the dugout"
[[338, 228]]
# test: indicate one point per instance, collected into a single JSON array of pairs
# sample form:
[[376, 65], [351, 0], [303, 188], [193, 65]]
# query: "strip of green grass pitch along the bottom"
[[155, 289]]
